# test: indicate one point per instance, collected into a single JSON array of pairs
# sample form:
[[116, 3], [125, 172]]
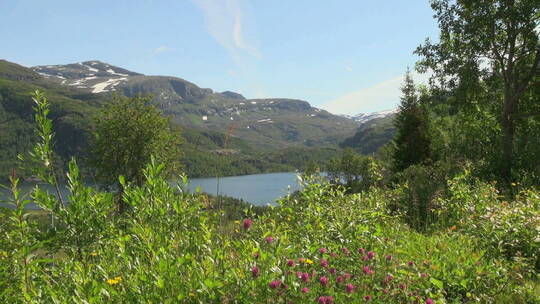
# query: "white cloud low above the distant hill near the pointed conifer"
[[380, 96]]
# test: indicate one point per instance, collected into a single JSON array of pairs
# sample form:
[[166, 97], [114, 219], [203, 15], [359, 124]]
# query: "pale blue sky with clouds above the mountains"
[[344, 56]]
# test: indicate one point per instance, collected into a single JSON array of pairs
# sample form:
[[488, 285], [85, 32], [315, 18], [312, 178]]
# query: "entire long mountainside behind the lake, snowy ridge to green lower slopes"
[[268, 135]]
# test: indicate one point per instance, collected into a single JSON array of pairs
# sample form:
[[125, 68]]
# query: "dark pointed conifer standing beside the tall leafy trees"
[[412, 141]]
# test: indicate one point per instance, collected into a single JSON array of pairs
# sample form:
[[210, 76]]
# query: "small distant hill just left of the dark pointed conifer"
[[372, 134]]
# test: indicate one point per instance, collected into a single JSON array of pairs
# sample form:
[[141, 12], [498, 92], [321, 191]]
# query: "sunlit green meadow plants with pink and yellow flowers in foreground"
[[320, 246]]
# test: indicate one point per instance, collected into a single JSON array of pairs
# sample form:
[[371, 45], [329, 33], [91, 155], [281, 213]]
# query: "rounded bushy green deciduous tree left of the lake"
[[128, 132]]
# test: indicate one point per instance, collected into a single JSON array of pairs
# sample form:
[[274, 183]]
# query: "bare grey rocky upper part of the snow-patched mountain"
[[271, 123]]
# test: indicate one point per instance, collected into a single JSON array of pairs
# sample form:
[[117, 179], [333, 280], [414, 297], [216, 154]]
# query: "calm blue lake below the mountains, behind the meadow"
[[258, 189]]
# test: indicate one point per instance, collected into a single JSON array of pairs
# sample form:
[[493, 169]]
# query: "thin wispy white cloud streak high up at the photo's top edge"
[[224, 22]]
